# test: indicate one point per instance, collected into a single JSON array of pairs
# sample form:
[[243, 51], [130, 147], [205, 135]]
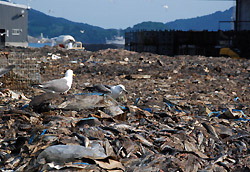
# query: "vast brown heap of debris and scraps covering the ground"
[[183, 113]]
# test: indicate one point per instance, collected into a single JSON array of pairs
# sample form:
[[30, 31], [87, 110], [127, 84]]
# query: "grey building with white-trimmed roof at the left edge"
[[13, 24]]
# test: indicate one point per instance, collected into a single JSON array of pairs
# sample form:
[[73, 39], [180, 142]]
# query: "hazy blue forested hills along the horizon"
[[51, 26]]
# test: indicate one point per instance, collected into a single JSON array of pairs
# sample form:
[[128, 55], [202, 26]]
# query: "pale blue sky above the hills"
[[120, 14]]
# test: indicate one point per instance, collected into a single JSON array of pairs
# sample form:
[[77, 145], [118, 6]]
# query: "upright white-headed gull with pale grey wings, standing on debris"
[[61, 85]]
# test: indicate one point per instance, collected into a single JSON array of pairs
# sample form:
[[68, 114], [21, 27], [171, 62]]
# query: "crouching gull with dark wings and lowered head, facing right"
[[113, 91]]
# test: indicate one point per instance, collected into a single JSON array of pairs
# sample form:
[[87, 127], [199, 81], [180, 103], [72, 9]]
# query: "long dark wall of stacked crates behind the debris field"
[[206, 43]]
